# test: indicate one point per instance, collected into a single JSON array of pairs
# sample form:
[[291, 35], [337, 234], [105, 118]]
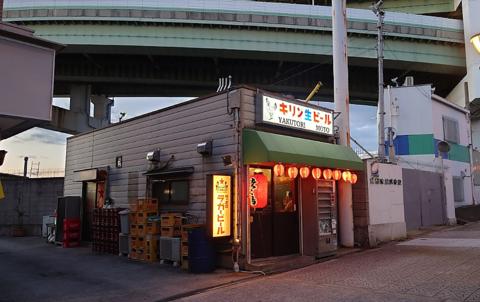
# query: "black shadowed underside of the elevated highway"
[[174, 74]]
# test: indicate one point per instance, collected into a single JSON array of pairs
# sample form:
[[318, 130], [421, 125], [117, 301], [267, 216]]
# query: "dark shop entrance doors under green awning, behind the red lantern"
[[275, 229]]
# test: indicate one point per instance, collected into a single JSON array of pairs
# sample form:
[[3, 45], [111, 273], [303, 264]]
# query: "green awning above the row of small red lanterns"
[[259, 147]]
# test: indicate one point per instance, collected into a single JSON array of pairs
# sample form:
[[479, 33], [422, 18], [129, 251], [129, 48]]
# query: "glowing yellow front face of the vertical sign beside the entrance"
[[221, 205]]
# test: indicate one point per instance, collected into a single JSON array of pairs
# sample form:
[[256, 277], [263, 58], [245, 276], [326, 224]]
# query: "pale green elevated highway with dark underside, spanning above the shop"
[[181, 48]]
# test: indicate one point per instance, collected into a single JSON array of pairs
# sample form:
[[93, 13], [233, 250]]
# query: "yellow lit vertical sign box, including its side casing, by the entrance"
[[219, 209]]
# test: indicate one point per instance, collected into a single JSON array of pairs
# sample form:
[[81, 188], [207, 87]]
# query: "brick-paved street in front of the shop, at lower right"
[[447, 271]]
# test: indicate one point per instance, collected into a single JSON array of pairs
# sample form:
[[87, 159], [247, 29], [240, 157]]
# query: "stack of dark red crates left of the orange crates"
[[105, 230]]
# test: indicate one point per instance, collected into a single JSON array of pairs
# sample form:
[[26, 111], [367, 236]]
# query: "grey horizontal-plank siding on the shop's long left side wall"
[[176, 132]]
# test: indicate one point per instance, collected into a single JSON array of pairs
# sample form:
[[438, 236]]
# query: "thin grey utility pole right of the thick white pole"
[[380, 13]]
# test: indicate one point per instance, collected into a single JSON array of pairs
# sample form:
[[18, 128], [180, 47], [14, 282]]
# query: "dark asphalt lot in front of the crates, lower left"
[[31, 270]]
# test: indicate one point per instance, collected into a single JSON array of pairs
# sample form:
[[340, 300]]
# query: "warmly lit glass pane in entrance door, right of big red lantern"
[[284, 195]]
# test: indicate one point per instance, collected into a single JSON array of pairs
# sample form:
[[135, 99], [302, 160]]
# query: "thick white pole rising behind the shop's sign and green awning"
[[341, 100]]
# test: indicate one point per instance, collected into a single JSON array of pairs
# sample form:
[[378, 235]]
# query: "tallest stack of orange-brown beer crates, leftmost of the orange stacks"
[[144, 230]]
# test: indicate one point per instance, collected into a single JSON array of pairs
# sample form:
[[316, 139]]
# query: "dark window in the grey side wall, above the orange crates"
[[170, 191]]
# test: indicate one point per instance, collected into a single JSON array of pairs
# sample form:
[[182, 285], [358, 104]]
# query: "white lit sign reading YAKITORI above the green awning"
[[294, 115]]
